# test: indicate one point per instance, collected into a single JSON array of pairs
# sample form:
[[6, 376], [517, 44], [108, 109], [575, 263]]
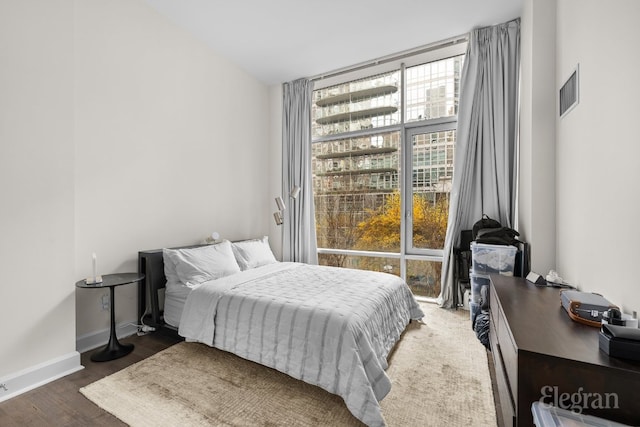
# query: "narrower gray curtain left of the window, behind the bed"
[[299, 230]]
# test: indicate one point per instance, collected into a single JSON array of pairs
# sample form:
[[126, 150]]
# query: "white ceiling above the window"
[[282, 40]]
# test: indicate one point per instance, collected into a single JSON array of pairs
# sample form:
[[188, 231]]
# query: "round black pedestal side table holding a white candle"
[[114, 349]]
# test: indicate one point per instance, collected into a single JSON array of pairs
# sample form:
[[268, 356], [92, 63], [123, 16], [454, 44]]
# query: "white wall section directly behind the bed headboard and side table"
[[172, 143]]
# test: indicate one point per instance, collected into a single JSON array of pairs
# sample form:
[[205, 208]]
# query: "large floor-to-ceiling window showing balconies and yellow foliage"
[[383, 144]]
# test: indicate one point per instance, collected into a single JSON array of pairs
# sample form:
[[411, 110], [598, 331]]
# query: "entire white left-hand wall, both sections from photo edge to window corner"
[[119, 132]]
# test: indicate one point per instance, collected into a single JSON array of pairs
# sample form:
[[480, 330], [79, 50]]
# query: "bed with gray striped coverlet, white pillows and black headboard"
[[328, 326]]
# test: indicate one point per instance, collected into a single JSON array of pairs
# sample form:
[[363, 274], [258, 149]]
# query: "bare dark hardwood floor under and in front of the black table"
[[59, 403]]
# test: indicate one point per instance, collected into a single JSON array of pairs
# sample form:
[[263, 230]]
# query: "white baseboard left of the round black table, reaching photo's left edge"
[[35, 376]]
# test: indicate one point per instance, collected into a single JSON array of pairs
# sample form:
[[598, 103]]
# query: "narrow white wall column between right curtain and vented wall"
[[537, 133]]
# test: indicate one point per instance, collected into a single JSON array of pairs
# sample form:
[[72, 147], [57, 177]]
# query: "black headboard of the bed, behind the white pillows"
[[151, 264]]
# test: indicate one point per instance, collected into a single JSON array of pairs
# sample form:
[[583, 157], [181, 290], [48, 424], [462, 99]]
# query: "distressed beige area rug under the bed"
[[439, 372]]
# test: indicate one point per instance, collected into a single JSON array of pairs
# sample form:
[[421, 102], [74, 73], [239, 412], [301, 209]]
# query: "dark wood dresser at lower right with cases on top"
[[540, 353]]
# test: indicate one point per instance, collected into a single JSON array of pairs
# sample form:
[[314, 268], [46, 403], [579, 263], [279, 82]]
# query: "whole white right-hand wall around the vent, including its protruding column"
[[579, 201]]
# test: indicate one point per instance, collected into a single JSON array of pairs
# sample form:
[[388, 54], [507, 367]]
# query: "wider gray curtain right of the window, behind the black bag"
[[485, 169]]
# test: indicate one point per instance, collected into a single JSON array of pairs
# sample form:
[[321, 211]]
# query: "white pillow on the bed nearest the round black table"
[[196, 265]]
